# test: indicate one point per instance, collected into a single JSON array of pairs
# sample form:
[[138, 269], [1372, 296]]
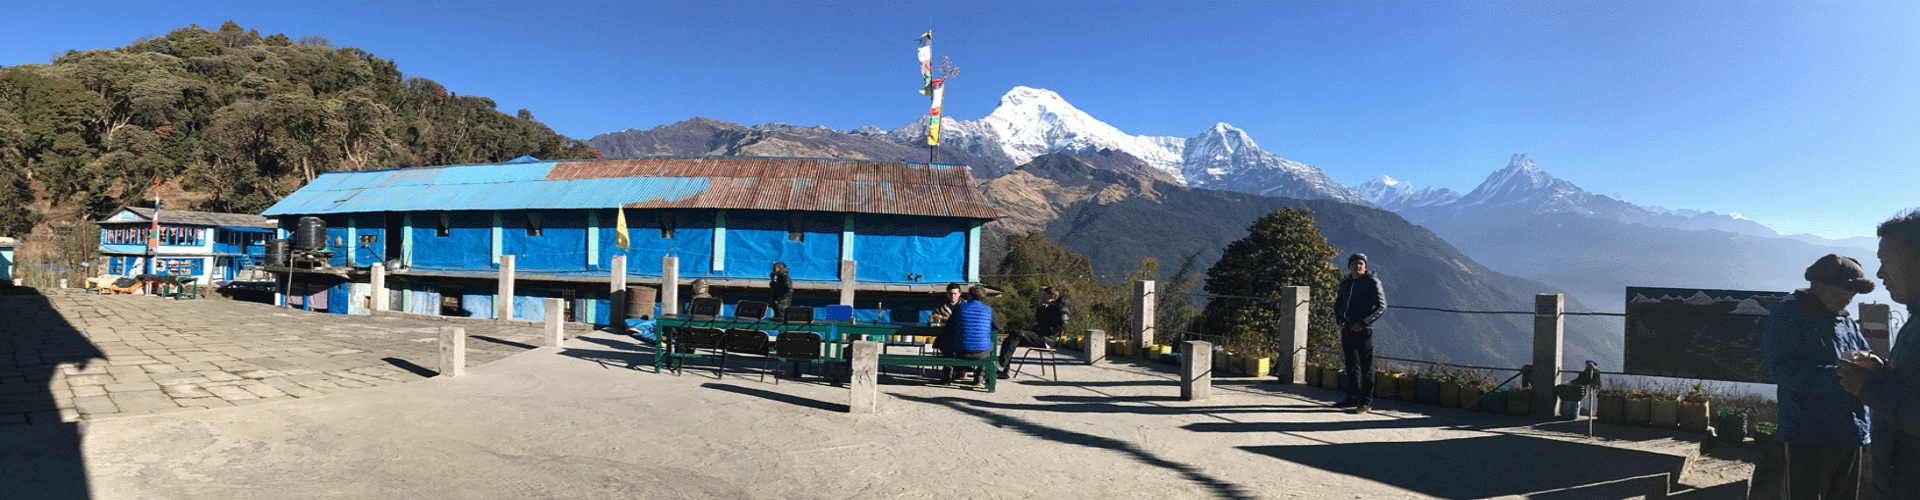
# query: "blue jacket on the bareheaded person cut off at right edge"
[[1896, 401]]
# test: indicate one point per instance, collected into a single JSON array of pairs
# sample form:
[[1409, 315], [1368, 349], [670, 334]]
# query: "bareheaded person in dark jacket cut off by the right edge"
[[1892, 387]]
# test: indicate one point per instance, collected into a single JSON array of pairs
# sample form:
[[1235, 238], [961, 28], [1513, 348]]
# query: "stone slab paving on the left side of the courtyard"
[[80, 357]]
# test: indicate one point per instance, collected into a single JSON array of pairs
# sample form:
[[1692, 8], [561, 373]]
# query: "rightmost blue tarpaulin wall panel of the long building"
[[892, 247]]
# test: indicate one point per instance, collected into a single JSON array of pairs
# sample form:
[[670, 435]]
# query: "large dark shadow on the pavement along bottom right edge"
[[1489, 466]]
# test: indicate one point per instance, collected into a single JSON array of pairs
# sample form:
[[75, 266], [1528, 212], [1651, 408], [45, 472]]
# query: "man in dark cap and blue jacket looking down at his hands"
[[1806, 337]]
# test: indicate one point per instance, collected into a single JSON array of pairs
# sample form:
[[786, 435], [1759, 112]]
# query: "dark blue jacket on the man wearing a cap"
[[1804, 345]]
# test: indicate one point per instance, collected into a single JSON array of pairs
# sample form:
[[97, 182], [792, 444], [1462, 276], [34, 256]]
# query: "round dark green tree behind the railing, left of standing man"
[[1282, 249]]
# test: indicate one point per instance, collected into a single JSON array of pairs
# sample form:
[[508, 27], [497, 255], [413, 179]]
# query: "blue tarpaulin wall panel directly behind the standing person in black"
[[756, 239]]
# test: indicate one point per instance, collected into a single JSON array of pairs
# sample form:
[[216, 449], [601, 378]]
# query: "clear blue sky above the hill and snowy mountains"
[[1802, 116]]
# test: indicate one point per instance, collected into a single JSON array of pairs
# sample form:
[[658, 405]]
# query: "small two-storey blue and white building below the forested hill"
[[212, 247]]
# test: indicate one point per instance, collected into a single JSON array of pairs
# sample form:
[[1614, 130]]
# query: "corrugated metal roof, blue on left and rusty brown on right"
[[740, 184]]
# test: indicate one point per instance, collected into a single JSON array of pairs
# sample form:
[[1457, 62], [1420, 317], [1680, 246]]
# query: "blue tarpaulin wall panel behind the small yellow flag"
[[692, 243]]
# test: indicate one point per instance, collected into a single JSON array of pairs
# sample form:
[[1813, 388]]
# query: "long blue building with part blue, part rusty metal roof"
[[443, 232]]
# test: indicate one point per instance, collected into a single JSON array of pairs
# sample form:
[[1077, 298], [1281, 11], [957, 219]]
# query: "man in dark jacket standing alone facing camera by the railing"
[[1356, 307]]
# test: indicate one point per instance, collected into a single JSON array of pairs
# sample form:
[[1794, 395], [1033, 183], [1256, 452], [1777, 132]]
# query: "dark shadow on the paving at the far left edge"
[[43, 455]]
